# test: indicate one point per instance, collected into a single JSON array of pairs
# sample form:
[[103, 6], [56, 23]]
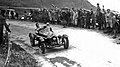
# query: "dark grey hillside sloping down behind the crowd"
[[47, 3]]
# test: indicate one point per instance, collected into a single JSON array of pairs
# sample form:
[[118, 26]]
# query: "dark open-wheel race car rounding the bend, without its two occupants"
[[44, 42]]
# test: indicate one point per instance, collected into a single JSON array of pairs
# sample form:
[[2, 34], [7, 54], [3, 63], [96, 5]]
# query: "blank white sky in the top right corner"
[[109, 4]]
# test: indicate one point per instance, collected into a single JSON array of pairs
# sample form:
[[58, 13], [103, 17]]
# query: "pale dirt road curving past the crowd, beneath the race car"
[[87, 48]]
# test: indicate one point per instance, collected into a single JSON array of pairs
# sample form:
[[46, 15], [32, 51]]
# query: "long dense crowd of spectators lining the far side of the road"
[[99, 19]]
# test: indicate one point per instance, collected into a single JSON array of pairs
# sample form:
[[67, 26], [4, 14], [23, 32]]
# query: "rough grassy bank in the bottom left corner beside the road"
[[18, 58]]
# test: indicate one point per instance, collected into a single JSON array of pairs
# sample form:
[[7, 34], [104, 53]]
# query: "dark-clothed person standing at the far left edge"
[[2, 24]]
